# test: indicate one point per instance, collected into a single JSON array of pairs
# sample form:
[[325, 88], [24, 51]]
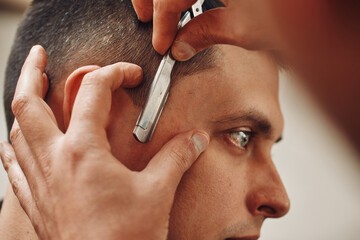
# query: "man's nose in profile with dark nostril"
[[267, 196]]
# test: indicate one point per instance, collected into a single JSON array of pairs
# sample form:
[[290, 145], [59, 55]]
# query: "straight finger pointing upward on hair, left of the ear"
[[35, 118]]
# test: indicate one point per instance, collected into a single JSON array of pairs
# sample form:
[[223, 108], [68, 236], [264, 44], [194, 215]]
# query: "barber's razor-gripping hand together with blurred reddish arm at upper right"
[[318, 39]]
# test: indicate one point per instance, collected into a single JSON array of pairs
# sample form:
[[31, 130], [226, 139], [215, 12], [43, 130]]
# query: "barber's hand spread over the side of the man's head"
[[70, 185]]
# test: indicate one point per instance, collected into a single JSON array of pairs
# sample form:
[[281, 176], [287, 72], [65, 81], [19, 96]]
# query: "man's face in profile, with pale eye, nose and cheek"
[[233, 186]]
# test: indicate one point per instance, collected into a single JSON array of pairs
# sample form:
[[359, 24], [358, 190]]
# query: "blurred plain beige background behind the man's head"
[[319, 167]]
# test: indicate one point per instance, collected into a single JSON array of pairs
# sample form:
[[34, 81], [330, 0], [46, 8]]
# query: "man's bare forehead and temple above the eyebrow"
[[242, 81]]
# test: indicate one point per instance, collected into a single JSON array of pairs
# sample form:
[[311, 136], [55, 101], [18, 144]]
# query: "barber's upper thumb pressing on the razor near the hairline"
[[201, 32]]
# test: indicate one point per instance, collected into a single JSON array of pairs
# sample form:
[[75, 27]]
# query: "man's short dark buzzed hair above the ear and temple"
[[75, 33]]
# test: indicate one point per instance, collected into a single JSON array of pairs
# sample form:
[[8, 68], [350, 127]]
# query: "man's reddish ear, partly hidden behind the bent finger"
[[72, 86]]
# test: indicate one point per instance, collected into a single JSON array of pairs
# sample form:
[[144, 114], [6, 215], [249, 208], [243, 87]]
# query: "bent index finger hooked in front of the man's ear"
[[93, 102]]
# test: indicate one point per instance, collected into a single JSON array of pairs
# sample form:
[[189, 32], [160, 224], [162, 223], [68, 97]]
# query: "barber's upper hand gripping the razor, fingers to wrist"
[[245, 23]]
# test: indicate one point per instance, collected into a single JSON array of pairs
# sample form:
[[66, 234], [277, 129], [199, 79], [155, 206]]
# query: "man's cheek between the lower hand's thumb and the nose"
[[210, 197]]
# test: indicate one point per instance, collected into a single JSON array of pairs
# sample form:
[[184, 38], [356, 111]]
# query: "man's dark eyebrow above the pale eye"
[[261, 122]]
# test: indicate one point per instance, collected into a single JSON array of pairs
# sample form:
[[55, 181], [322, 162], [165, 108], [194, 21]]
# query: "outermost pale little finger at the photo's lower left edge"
[[21, 187]]
